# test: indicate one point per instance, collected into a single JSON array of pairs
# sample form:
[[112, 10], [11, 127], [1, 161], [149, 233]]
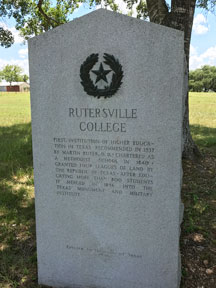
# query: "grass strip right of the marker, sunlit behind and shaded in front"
[[198, 237]]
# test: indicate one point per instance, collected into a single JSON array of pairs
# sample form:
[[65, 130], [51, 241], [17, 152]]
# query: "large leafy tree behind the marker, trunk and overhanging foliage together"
[[36, 16]]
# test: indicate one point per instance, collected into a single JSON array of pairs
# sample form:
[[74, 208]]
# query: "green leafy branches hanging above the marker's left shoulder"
[[34, 17]]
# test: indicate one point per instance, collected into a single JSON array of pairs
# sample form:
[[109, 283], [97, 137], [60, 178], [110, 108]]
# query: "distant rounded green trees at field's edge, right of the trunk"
[[203, 79]]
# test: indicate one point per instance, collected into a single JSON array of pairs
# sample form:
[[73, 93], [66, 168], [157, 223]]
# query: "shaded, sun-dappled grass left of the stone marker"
[[17, 212]]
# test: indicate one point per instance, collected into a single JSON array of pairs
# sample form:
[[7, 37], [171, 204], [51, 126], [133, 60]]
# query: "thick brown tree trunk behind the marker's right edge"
[[181, 18]]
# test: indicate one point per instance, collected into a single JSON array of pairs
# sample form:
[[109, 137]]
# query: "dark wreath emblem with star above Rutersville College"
[[90, 86]]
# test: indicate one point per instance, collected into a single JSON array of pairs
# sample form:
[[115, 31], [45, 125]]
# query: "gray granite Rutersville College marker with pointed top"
[[106, 95]]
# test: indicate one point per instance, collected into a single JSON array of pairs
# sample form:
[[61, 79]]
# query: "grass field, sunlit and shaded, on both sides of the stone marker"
[[18, 261]]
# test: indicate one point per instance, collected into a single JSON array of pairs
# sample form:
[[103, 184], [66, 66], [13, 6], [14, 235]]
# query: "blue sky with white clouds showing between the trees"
[[202, 50]]
